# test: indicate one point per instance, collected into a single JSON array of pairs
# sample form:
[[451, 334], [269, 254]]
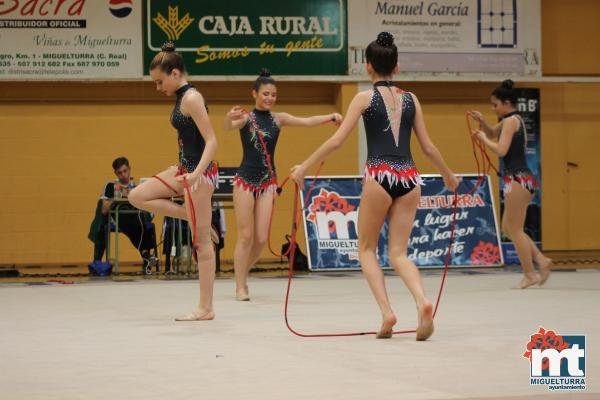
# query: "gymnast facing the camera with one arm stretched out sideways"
[[256, 180]]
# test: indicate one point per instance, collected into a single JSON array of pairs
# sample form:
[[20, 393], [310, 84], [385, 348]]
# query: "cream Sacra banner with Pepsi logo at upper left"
[[70, 39]]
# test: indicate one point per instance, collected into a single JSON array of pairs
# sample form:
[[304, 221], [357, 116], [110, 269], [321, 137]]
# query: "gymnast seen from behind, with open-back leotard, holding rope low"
[[391, 188]]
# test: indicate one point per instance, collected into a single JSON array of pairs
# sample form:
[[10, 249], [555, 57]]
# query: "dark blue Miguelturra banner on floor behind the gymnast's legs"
[[331, 224]]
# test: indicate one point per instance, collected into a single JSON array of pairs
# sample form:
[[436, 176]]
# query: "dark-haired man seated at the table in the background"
[[137, 227]]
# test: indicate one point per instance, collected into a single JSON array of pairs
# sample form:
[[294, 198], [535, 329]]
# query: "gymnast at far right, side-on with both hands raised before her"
[[511, 135]]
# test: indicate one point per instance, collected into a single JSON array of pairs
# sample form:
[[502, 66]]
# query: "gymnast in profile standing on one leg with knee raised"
[[196, 170]]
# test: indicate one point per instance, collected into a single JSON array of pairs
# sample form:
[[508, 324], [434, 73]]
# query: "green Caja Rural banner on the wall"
[[306, 37]]
